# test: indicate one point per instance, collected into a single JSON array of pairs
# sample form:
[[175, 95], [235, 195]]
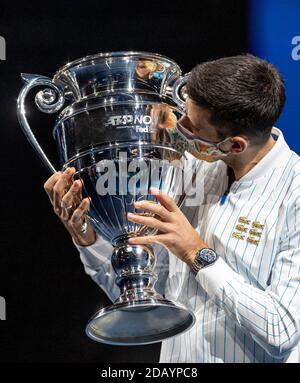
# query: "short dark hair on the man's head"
[[244, 94]]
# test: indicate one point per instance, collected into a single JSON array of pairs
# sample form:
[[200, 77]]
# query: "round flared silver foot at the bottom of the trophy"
[[139, 322]]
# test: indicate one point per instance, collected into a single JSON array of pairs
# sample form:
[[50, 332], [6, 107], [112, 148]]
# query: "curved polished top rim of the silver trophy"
[[103, 55]]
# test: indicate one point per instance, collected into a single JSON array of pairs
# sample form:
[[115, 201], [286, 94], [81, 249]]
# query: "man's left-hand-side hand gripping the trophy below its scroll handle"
[[66, 198]]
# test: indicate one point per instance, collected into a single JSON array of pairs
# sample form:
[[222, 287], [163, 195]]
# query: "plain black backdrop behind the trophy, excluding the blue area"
[[49, 297]]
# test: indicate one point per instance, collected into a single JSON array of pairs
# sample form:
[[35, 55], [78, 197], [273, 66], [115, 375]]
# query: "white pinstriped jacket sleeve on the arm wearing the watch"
[[271, 316]]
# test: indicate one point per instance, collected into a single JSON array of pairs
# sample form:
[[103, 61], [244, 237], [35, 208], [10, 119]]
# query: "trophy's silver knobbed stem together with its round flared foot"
[[140, 315]]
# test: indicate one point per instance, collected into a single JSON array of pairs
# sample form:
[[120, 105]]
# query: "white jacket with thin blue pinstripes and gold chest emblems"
[[247, 304]]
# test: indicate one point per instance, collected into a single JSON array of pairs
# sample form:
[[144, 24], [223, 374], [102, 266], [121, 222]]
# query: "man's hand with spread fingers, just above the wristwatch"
[[174, 230]]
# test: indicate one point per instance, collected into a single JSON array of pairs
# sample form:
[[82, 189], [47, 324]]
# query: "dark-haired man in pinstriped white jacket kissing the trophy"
[[235, 259]]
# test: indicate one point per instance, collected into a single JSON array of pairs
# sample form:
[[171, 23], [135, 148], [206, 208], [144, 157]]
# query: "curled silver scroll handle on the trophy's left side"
[[48, 100]]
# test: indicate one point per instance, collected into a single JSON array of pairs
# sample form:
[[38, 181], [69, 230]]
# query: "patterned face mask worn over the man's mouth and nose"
[[204, 147]]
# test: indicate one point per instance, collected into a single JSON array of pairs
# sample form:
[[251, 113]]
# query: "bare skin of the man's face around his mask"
[[196, 120]]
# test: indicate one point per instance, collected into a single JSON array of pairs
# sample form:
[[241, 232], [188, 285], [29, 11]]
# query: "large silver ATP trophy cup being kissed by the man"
[[121, 110]]
